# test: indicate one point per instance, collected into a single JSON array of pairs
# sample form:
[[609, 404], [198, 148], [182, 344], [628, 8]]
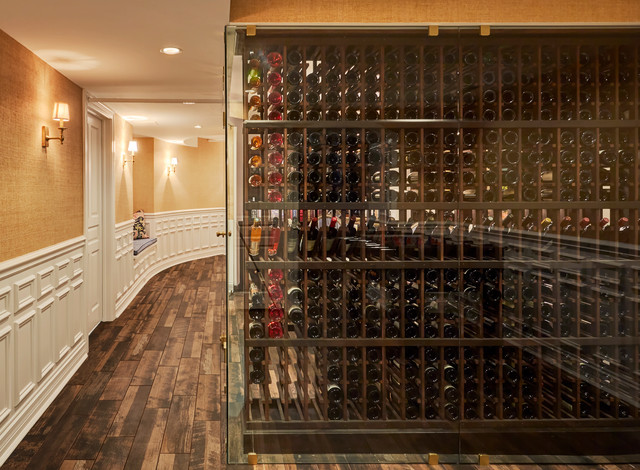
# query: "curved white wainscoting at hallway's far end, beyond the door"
[[182, 236]]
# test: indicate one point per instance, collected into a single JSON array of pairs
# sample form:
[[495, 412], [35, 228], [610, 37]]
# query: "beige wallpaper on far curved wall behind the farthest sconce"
[[199, 178]]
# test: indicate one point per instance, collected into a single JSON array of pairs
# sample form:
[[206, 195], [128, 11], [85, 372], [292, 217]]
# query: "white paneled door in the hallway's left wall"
[[94, 221]]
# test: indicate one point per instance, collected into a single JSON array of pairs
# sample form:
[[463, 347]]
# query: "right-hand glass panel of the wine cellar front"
[[556, 129]]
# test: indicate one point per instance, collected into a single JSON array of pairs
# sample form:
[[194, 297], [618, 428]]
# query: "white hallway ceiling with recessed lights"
[[112, 48]]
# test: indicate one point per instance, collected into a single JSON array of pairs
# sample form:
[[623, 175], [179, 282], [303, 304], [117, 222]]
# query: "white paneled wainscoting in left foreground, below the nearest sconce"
[[43, 337]]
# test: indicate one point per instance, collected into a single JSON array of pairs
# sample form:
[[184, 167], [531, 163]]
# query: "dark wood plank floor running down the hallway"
[[149, 395]]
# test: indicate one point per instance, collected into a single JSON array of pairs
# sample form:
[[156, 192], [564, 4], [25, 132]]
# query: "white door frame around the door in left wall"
[[107, 188]]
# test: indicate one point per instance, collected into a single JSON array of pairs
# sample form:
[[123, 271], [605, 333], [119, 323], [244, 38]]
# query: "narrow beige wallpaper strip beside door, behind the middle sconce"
[[123, 133]]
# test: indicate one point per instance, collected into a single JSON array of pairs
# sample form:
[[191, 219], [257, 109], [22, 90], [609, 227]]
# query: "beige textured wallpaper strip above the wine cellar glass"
[[435, 11]]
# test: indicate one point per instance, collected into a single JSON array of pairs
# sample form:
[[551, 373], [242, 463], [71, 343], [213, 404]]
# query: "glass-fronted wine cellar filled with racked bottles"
[[440, 243]]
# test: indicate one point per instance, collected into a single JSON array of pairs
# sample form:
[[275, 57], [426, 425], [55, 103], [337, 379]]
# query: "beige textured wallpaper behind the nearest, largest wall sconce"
[[41, 196]]
